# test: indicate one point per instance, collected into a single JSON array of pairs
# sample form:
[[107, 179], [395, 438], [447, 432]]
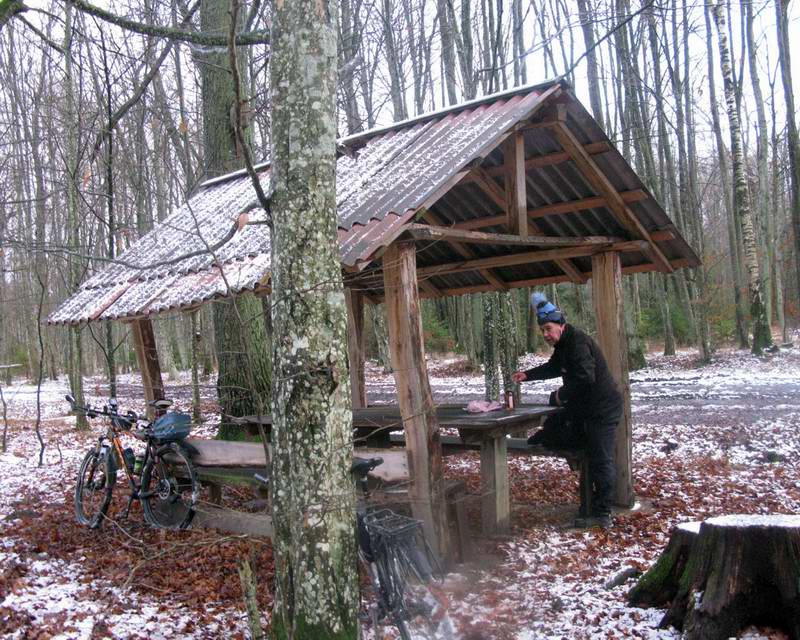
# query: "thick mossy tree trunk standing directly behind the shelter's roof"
[[243, 353]]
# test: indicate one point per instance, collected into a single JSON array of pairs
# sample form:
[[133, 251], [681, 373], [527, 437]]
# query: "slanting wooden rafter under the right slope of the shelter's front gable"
[[592, 173]]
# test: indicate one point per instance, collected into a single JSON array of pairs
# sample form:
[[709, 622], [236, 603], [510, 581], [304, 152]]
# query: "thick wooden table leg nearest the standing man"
[[495, 497]]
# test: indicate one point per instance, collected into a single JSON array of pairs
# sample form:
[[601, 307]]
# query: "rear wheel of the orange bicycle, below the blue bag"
[[169, 488]]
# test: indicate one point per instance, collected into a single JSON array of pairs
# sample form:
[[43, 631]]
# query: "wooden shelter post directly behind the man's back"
[[607, 294]]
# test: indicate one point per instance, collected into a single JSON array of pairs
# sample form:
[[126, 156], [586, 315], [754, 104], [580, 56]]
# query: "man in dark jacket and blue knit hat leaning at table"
[[591, 399]]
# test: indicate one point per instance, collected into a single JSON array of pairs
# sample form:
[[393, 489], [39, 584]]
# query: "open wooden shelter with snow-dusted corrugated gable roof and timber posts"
[[516, 189]]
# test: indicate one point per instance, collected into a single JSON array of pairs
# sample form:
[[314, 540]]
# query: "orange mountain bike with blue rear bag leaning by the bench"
[[162, 477]]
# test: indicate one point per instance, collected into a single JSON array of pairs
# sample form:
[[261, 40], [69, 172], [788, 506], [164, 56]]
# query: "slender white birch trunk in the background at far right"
[[762, 336]]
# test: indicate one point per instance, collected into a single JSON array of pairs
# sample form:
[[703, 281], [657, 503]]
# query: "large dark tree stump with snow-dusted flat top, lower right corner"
[[742, 570]]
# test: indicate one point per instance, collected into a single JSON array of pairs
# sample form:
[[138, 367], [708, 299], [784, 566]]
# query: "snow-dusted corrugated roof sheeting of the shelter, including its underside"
[[384, 178]]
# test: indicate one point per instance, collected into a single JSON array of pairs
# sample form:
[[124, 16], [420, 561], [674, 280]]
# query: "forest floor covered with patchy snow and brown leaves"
[[712, 440]]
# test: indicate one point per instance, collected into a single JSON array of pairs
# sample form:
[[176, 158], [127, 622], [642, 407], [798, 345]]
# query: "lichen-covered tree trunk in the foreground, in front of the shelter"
[[316, 588]]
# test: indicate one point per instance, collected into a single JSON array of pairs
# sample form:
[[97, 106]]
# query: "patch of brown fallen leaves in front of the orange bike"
[[196, 568]]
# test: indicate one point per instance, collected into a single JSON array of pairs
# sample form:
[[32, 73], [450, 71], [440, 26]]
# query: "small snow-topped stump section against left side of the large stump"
[[659, 585]]
